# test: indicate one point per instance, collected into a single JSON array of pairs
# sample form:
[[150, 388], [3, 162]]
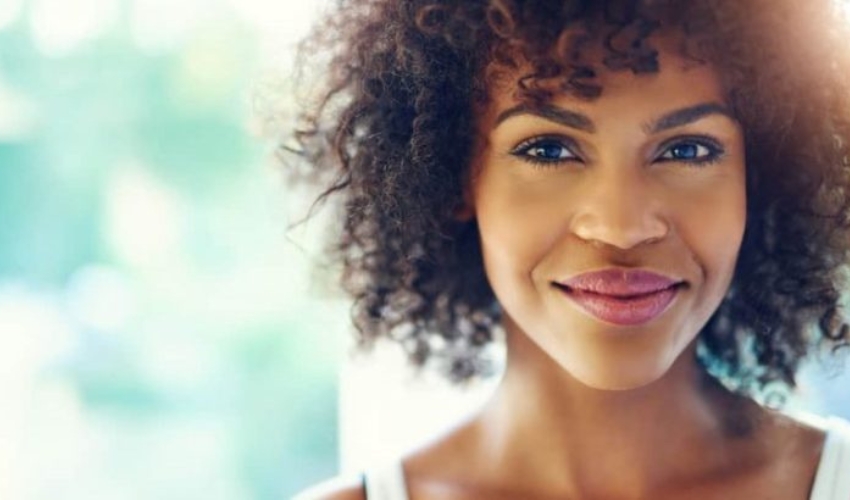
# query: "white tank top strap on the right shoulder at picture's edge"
[[832, 480]]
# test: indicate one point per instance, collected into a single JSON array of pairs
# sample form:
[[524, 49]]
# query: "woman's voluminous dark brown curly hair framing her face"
[[393, 134]]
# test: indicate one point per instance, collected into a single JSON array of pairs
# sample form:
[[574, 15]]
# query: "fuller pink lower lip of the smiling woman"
[[624, 311]]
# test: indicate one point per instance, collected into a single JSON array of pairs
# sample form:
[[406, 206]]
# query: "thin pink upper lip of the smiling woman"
[[620, 282]]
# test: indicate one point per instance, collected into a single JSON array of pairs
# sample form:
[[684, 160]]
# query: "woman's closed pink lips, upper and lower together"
[[622, 296]]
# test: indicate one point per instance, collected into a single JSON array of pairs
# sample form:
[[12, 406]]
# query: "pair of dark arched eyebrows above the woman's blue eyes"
[[572, 119]]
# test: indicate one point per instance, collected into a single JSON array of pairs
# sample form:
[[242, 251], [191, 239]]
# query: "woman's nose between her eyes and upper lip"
[[620, 209]]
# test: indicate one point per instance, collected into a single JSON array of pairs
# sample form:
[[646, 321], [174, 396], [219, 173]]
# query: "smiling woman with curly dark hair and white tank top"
[[648, 197]]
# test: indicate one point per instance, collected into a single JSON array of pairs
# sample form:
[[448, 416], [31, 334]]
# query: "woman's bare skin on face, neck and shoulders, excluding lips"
[[588, 409]]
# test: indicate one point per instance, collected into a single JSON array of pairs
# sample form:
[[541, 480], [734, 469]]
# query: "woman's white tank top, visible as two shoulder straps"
[[832, 479]]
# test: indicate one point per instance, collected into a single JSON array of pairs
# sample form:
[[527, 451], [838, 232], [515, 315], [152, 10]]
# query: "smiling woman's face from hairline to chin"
[[644, 188]]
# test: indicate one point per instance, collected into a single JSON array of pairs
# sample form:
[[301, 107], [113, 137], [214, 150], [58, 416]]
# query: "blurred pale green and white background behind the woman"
[[163, 336]]
